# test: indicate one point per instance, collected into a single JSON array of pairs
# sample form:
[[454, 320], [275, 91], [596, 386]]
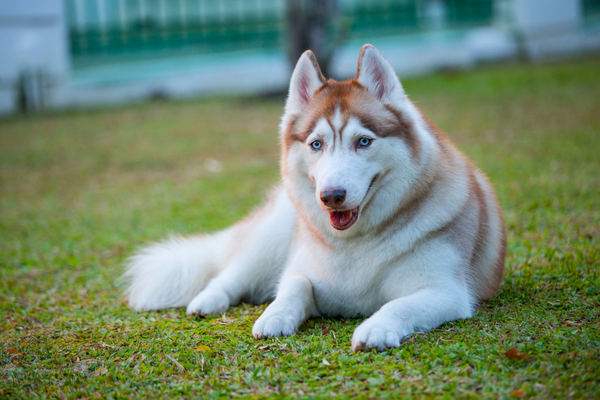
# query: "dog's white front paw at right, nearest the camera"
[[376, 335]]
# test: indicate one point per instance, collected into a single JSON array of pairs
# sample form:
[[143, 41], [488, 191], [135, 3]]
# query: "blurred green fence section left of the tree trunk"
[[122, 29]]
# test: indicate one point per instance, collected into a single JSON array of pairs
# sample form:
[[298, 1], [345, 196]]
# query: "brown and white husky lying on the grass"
[[378, 215]]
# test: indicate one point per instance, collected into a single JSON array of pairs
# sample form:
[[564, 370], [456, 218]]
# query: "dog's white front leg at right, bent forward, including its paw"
[[419, 312]]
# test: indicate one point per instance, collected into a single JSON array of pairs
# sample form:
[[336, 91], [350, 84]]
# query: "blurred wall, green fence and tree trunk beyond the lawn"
[[65, 53]]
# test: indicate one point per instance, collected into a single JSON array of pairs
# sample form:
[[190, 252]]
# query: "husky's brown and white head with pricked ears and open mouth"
[[343, 140]]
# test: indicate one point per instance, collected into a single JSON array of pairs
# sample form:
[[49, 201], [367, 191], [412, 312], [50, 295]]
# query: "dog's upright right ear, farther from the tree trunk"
[[377, 75]]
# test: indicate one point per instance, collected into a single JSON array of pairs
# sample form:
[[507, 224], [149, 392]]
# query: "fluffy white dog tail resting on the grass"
[[171, 273]]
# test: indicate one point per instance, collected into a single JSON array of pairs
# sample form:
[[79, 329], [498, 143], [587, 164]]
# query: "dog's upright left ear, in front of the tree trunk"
[[306, 79]]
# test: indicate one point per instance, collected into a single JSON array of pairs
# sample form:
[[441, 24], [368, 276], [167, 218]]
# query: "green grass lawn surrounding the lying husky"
[[79, 191]]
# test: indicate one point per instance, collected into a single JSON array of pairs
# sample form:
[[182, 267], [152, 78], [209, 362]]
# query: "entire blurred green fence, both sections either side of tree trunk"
[[117, 30]]
